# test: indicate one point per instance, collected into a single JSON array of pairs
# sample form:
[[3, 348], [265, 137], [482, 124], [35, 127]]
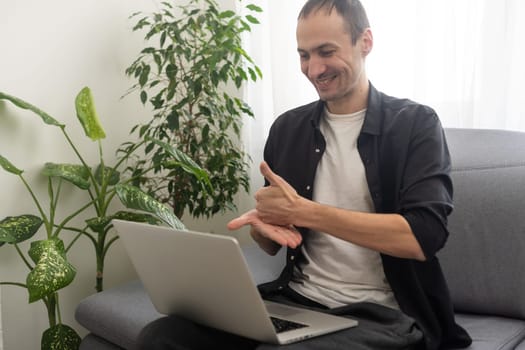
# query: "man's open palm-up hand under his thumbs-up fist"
[[269, 237]]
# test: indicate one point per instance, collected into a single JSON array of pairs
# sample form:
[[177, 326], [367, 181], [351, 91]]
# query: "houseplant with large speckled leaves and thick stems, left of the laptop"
[[46, 260]]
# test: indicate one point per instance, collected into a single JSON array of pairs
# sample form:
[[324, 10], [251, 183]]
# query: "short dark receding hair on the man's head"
[[352, 12]]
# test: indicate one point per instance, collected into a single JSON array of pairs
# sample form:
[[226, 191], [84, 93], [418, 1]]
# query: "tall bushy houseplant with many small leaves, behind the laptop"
[[193, 58]]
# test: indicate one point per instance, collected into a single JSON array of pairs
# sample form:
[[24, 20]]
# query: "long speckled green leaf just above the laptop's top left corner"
[[134, 198]]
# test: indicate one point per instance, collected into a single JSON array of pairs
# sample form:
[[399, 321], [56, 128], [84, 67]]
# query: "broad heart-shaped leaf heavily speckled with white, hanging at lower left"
[[52, 271]]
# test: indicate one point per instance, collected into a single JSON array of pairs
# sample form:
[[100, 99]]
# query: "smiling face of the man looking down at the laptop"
[[329, 60]]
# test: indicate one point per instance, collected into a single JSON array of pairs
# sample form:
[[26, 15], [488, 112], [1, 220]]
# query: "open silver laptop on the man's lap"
[[205, 278]]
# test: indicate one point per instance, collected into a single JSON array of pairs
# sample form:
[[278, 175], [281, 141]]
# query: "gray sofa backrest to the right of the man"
[[484, 258]]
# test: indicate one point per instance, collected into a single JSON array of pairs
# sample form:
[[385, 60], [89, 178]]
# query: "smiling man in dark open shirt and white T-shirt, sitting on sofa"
[[358, 190]]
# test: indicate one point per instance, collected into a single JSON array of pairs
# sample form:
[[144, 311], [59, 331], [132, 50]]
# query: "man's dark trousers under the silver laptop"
[[380, 328]]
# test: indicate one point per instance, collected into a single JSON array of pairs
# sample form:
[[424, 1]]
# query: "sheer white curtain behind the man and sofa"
[[464, 58]]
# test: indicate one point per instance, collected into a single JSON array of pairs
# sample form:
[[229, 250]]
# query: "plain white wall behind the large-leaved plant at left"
[[50, 50]]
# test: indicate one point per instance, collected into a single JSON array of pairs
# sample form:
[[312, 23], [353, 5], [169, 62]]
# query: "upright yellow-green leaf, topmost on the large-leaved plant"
[[87, 115]]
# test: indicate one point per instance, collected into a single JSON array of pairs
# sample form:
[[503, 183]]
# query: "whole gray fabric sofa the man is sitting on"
[[484, 259]]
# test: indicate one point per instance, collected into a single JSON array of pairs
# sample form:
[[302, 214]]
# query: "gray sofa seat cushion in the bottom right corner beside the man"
[[492, 333]]
